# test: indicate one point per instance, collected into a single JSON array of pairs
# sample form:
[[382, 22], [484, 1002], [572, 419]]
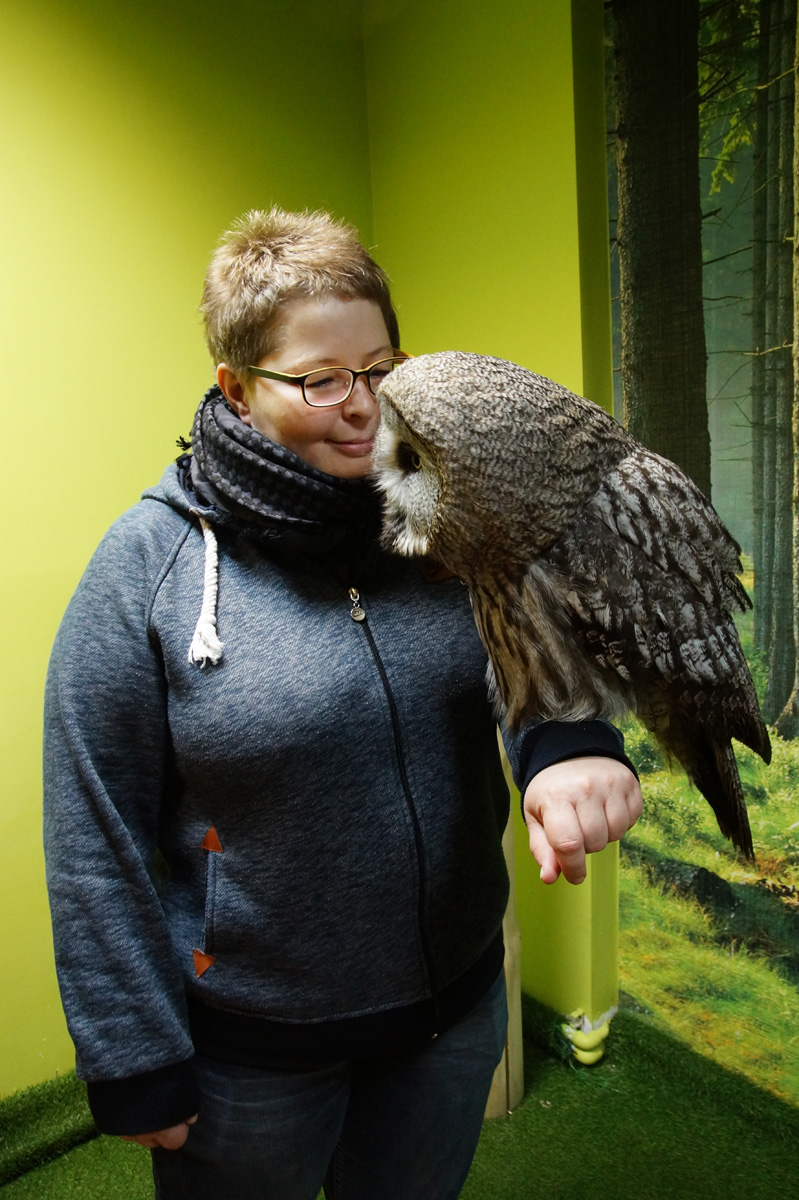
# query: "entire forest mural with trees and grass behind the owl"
[[704, 171]]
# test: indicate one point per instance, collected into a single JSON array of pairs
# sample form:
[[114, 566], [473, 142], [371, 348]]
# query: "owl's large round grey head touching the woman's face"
[[484, 464]]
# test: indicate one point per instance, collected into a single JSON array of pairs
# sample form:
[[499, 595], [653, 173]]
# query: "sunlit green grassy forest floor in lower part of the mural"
[[711, 943]]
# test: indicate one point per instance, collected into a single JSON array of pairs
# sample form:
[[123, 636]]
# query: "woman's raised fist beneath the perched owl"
[[576, 808]]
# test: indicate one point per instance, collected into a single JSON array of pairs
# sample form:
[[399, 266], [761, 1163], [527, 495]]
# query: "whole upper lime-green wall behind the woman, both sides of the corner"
[[131, 137]]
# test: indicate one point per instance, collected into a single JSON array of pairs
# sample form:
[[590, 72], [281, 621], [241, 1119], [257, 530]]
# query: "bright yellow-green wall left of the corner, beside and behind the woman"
[[131, 136]]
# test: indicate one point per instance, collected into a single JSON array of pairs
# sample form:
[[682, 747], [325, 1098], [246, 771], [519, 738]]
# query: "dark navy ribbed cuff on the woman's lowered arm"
[[157, 1100]]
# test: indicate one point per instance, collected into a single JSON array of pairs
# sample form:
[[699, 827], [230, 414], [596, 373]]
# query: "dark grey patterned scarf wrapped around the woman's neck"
[[241, 472]]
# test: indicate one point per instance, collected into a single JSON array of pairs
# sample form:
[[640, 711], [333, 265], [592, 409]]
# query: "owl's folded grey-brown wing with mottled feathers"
[[651, 584]]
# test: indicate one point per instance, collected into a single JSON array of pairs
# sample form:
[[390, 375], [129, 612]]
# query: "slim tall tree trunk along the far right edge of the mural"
[[782, 640]]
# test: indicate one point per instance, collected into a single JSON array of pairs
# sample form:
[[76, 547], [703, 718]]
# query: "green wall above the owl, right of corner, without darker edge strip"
[[474, 178]]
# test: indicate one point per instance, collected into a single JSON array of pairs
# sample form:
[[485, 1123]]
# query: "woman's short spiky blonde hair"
[[271, 257]]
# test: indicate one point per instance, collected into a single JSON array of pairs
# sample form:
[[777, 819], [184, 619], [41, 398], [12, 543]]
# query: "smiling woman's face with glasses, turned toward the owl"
[[310, 334]]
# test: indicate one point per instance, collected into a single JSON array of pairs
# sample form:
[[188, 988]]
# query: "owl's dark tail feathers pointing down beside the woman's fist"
[[712, 769]]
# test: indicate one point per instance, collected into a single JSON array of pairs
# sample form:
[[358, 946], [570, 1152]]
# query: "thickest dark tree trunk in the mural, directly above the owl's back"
[[664, 359]]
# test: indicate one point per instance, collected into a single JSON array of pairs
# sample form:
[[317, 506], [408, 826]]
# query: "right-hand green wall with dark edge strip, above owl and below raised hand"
[[491, 215]]
